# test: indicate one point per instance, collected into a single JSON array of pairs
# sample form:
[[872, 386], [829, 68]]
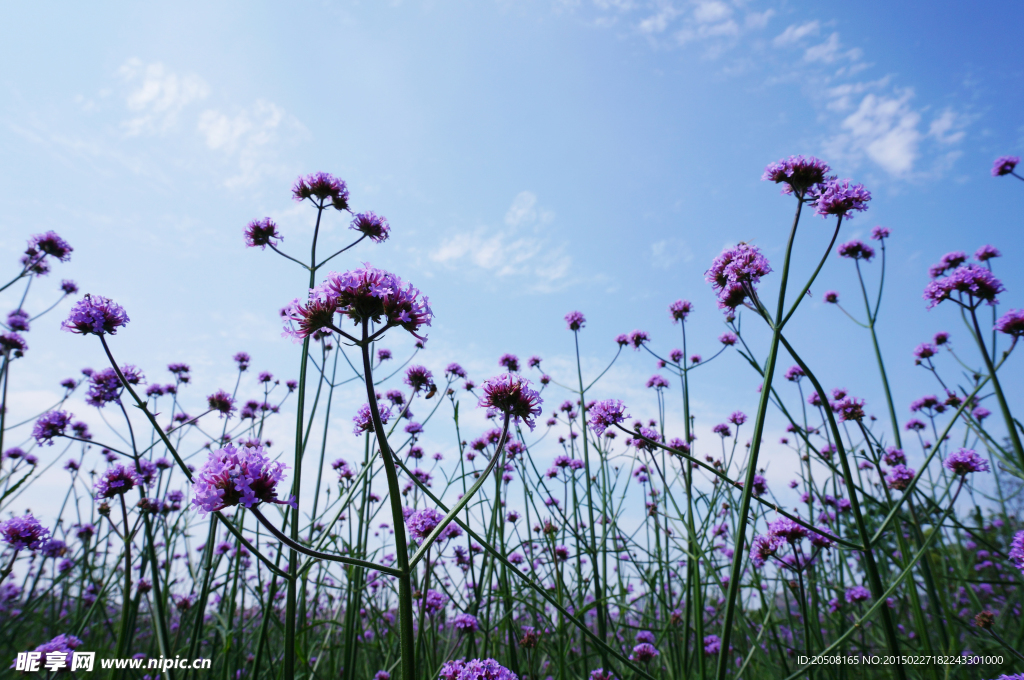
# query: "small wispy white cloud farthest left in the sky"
[[159, 98]]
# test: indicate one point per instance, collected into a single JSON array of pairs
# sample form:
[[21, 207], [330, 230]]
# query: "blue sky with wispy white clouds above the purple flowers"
[[532, 157]]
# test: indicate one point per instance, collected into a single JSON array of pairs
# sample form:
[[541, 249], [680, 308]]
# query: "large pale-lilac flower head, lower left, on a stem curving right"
[[237, 477]]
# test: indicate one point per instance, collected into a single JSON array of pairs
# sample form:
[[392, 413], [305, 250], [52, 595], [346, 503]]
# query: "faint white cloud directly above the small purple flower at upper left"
[[250, 138]]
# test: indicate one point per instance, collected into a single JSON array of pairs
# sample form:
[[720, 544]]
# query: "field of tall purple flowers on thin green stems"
[[643, 552]]
